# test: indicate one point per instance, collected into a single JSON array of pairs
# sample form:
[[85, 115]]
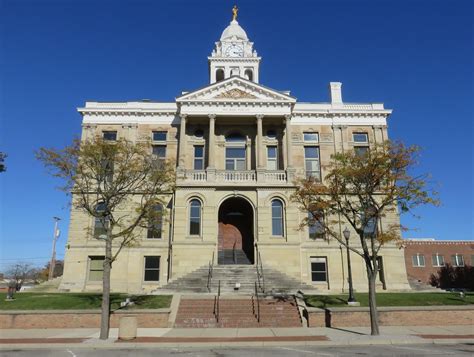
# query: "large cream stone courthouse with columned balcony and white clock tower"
[[238, 146]]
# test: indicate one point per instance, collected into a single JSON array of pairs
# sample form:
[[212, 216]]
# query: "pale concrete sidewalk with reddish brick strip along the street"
[[175, 337]]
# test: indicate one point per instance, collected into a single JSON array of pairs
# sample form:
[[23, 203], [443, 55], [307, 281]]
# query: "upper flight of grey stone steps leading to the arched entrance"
[[230, 275]]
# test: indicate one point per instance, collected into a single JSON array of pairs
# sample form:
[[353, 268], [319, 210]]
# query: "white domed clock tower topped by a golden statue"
[[233, 55]]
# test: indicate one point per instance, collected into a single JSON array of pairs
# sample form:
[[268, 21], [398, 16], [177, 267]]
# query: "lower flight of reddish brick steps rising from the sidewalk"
[[238, 313]]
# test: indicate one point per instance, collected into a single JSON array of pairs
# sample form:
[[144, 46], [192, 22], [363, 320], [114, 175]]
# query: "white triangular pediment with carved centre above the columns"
[[236, 89]]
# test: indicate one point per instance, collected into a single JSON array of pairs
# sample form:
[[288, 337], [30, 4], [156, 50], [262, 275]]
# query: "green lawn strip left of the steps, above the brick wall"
[[71, 301]]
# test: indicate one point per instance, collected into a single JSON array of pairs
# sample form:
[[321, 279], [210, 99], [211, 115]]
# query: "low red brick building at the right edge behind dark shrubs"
[[424, 257]]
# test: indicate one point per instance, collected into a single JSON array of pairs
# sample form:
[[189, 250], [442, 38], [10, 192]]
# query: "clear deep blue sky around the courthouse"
[[415, 56]]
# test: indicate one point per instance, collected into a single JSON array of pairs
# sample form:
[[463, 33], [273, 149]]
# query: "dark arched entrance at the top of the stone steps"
[[235, 238]]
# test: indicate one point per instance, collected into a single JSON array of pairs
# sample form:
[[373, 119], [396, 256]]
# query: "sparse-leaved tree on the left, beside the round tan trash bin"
[[119, 184]]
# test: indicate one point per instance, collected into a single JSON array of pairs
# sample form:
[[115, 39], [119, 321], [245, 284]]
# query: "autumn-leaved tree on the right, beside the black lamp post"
[[365, 191]]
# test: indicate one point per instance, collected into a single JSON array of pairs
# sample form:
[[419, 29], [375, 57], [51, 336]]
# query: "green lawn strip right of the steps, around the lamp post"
[[392, 299]]
